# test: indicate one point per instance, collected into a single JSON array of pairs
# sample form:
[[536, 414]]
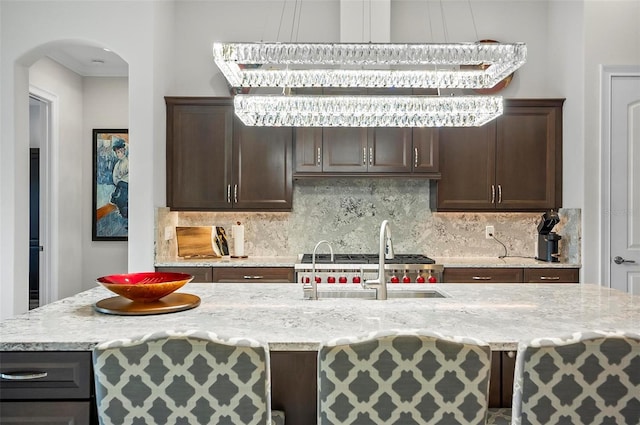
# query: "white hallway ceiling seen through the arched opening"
[[89, 61]]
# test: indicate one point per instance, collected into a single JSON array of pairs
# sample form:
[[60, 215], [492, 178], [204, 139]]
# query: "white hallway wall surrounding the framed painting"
[[105, 105]]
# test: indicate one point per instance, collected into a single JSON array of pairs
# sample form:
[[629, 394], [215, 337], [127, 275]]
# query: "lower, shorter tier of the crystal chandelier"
[[367, 111]]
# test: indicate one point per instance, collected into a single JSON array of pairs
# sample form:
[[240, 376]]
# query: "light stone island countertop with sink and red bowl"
[[500, 314]]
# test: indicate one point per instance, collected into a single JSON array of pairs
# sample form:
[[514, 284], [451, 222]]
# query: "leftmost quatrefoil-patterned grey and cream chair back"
[[182, 377]]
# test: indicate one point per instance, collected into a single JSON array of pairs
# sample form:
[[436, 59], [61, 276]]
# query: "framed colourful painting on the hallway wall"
[[110, 185]]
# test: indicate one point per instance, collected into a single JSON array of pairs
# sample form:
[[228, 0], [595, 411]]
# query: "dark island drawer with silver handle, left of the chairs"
[[45, 375]]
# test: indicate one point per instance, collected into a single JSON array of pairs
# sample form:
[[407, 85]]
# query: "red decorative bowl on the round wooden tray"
[[144, 287]]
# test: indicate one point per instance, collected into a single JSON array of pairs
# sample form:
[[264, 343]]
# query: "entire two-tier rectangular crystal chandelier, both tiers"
[[366, 66]]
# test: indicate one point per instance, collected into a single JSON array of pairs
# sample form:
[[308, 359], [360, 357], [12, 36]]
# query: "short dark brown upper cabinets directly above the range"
[[383, 151]]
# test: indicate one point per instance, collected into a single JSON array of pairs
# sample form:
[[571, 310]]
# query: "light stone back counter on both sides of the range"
[[290, 261]]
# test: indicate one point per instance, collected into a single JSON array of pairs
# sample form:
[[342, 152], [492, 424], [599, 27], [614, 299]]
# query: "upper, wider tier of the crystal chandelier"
[[368, 65]]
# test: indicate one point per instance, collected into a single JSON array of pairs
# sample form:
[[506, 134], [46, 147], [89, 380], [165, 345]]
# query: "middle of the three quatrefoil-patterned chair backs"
[[403, 377]]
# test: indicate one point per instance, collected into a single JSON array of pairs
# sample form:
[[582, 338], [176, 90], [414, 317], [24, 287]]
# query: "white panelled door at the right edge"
[[625, 183]]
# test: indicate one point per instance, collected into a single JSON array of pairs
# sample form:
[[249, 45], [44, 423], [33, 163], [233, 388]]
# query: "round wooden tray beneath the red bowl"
[[172, 303]]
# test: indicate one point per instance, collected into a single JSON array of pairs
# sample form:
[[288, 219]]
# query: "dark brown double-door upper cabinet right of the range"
[[513, 163]]
